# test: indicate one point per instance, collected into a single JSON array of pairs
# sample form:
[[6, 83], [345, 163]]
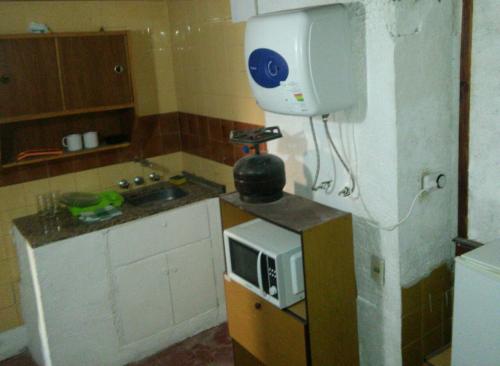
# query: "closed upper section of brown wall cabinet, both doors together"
[[58, 74]]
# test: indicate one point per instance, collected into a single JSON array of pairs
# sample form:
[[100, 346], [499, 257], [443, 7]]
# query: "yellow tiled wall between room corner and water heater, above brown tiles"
[[209, 63]]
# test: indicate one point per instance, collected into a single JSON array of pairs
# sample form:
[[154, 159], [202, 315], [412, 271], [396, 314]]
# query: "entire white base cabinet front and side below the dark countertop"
[[118, 295]]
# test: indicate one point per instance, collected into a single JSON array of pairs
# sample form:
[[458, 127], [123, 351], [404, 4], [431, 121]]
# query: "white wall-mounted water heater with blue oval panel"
[[299, 61]]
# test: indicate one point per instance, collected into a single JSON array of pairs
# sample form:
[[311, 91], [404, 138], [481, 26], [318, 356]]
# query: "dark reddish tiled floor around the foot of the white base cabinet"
[[209, 348]]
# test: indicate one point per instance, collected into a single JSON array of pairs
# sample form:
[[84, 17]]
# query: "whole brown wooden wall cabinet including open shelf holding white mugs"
[[53, 85]]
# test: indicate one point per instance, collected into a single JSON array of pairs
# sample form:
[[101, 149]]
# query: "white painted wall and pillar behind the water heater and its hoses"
[[394, 133]]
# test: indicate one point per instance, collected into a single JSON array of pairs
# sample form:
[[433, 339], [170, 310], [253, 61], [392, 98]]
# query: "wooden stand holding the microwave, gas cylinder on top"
[[320, 330]]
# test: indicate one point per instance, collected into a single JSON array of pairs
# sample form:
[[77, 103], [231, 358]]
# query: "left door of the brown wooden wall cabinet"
[[29, 77]]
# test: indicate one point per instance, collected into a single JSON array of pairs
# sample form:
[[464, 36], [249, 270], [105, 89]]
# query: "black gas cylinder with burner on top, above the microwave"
[[259, 178]]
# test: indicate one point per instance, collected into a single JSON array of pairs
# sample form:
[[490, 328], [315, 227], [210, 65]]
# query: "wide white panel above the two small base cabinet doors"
[[156, 234]]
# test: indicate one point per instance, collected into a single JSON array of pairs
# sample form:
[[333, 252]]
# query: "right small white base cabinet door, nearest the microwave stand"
[[192, 280]]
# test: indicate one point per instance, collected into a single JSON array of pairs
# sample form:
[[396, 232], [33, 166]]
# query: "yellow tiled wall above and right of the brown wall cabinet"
[[147, 21]]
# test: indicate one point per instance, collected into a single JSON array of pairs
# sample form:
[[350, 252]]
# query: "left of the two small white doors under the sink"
[[143, 298]]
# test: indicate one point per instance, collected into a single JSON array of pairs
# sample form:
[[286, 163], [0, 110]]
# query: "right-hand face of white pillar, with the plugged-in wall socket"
[[426, 56]]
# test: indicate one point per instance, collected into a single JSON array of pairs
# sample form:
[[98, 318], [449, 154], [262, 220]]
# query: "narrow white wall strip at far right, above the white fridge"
[[484, 169]]
